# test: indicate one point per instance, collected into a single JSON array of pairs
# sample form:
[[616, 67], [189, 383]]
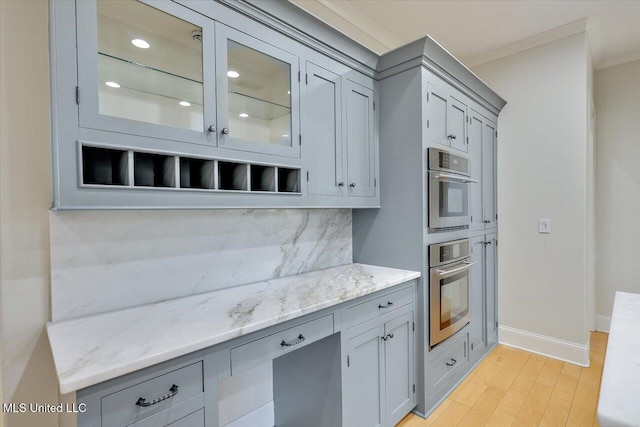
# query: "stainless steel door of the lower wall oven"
[[449, 293]]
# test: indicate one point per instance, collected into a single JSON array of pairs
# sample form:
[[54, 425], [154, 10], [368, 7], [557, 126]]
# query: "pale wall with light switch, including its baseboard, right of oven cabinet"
[[542, 173]]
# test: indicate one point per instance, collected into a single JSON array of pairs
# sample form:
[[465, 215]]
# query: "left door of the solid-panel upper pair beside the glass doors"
[[322, 124]]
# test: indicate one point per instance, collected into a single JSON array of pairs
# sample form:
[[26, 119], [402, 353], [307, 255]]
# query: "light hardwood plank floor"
[[515, 388]]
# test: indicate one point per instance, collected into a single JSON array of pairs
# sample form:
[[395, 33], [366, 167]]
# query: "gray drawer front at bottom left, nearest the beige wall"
[[120, 408]]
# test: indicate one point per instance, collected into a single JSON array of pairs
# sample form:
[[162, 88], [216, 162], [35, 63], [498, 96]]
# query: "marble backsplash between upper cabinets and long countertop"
[[108, 260]]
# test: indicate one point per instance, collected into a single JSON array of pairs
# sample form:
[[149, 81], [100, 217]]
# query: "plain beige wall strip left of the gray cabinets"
[[25, 198]]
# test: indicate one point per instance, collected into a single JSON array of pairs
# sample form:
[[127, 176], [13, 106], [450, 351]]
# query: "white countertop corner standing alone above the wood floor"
[[619, 404]]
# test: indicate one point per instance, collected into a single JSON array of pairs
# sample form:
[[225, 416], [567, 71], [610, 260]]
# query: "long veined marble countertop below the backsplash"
[[94, 349]]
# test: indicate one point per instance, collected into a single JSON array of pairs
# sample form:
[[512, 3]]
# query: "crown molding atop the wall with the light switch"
[[567, 30]]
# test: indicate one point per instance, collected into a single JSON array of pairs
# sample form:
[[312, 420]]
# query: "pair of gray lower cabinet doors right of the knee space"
[[378, 371]]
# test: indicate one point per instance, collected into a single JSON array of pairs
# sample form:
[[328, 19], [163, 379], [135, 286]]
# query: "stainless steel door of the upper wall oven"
[[448, 199]]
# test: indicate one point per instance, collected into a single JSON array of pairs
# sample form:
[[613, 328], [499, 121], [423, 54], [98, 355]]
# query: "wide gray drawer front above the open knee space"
[[268, 348]]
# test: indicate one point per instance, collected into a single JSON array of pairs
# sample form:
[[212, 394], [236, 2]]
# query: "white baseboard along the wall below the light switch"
[[544, 345]]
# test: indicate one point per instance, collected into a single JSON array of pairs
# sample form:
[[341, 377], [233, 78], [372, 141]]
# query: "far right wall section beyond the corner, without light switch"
[[617, 98]]
